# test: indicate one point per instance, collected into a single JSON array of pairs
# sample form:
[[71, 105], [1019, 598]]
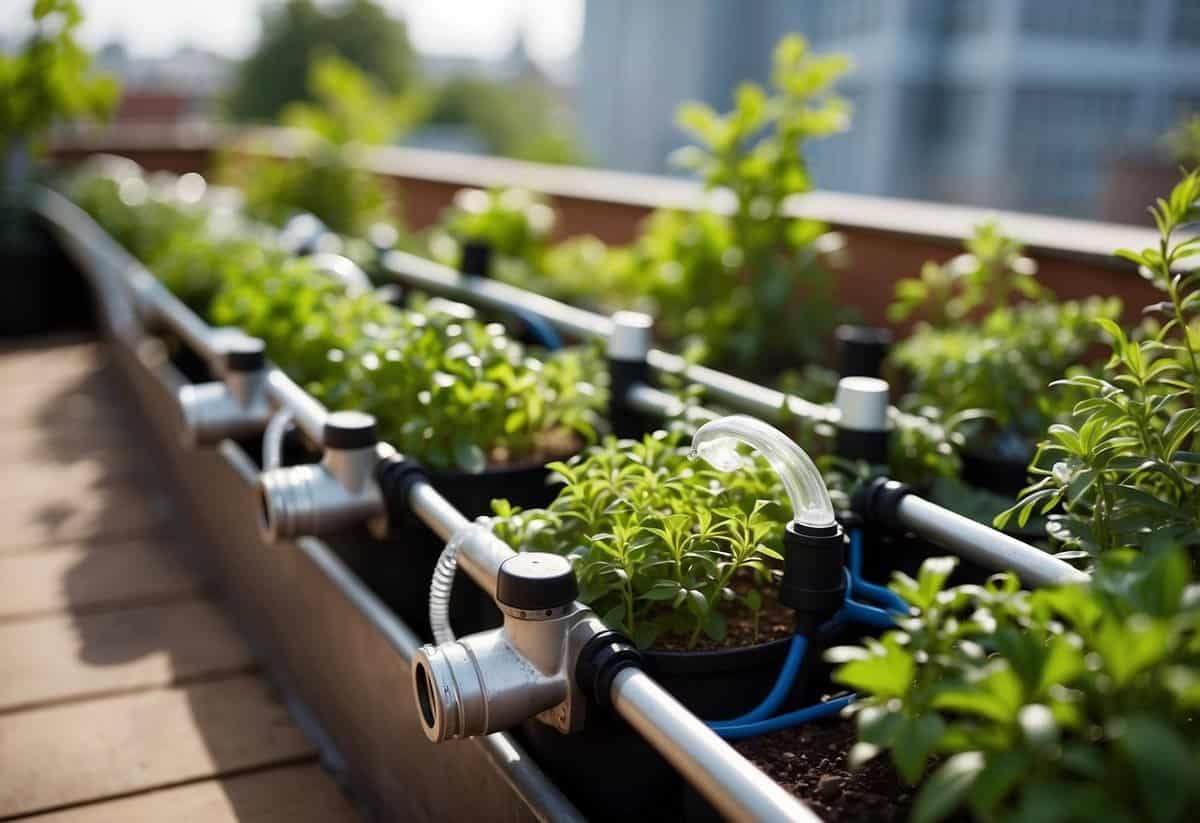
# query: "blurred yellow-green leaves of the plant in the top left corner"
[[50, 80]]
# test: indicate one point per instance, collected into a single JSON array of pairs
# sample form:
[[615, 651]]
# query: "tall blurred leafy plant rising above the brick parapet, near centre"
[[746, 286]]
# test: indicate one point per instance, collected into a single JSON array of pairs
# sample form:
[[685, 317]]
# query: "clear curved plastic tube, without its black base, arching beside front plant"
[[717, 443]]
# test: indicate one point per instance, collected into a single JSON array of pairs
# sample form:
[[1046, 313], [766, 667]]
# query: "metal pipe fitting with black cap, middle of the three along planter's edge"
[[334, 495]]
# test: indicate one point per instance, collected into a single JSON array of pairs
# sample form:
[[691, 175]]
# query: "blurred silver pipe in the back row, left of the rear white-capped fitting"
[[494, 295]]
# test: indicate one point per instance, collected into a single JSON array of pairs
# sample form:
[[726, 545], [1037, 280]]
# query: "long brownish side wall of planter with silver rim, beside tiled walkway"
[[340, 657]]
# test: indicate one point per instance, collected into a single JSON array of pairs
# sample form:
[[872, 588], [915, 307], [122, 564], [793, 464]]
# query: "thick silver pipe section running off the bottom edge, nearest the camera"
[[729, 782]]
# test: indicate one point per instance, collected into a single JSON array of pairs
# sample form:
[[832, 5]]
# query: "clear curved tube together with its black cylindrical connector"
[[814, 544]]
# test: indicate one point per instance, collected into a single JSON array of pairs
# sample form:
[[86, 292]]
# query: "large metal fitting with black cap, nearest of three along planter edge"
[[497, 680]]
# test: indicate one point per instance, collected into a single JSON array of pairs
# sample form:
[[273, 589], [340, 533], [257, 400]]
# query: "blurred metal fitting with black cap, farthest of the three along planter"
[[235, 409]]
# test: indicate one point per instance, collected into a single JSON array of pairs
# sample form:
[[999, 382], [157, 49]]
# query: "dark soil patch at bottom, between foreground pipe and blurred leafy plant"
[[811, 762]]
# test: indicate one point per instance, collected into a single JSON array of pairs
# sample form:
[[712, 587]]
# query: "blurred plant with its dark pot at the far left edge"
[[49, 81]]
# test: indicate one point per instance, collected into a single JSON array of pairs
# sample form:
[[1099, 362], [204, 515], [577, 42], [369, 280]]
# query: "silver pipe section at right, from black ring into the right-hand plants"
[[985, 545]]
